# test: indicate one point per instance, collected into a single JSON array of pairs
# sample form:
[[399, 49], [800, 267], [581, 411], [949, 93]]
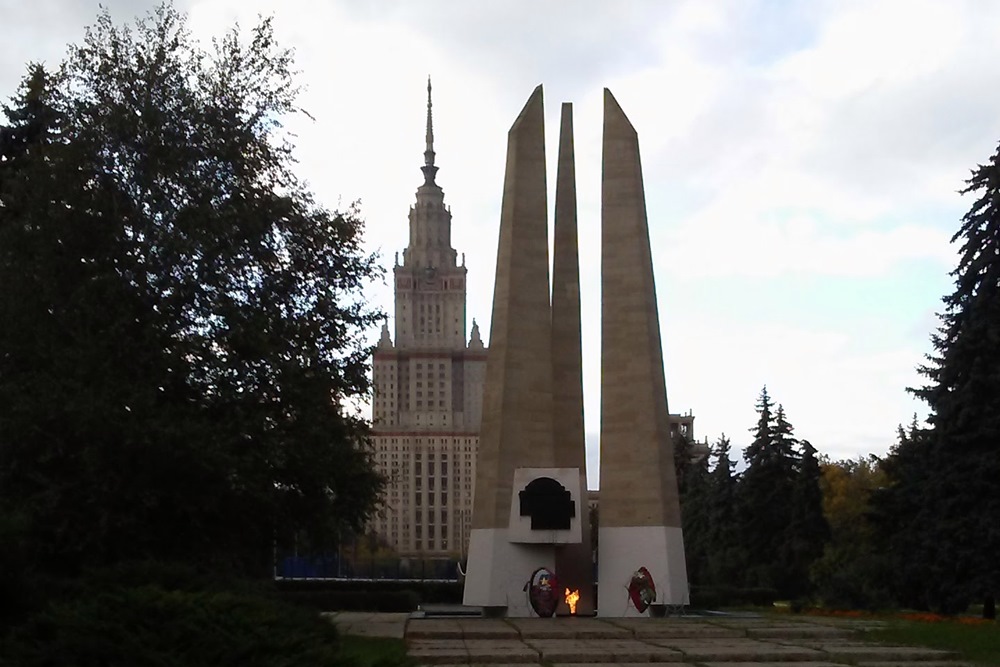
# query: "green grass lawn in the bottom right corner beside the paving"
[[978, 643]]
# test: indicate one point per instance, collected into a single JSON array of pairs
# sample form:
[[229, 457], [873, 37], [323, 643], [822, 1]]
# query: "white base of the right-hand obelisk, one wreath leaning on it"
[[623, 550]]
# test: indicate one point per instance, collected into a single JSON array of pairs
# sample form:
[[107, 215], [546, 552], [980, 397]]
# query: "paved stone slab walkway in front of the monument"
[[678, 642]]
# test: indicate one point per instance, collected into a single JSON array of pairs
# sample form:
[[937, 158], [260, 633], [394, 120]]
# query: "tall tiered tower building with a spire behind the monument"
[[428, 387]]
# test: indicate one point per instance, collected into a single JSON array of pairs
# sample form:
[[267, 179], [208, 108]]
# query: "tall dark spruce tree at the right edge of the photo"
[[959, 510]]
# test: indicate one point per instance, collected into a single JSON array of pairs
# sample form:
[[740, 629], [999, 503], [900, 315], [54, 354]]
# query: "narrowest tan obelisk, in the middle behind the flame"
[[574, 562]]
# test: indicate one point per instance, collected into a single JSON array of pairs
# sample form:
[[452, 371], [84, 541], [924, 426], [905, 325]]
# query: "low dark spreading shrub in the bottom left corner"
[[151, 626]]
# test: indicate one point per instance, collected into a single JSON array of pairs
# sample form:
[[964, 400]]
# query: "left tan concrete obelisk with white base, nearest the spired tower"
[[516, 431]]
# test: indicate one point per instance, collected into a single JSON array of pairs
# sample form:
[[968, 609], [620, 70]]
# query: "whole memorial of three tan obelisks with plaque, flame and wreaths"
[[530, 525]]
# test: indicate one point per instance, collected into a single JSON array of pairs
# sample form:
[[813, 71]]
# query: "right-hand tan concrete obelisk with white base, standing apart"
[[640, 518]]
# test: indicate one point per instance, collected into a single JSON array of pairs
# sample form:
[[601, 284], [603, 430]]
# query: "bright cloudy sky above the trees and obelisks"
[[801, 158]]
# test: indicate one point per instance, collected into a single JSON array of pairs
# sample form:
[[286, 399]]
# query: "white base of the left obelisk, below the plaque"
[[499, 569]]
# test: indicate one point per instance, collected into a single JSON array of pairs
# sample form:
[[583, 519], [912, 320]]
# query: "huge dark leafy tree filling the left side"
[[181, 328]]
